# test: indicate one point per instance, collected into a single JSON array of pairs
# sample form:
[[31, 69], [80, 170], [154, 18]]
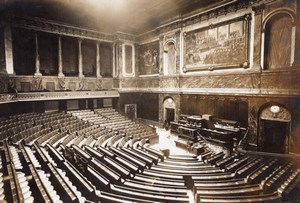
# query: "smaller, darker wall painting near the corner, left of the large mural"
[[149, 58]]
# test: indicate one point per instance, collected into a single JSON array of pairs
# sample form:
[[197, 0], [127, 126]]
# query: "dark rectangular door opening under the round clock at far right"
[[275, 136]]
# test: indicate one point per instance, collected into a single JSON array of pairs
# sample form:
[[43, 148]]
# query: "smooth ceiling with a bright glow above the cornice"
[[130, 16]]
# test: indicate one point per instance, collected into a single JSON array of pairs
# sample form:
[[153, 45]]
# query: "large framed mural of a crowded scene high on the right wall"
[[224, 45]]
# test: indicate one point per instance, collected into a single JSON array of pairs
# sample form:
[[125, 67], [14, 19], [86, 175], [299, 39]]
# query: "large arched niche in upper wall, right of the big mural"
[[278, 40]]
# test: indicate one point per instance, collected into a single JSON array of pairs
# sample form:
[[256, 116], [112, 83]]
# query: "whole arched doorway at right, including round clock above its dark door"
[[274, 129]]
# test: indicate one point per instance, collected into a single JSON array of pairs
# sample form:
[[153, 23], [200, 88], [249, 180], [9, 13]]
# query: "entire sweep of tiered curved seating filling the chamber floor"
[[73, 157]]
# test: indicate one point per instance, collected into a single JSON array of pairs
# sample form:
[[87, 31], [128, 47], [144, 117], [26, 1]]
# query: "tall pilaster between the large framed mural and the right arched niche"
[[258, 37]]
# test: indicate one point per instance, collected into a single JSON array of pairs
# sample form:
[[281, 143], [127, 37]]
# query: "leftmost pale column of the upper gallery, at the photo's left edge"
[[8, 50]]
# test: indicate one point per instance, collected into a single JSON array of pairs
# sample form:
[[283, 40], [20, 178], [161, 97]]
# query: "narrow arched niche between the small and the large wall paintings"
[[170, 57]]
